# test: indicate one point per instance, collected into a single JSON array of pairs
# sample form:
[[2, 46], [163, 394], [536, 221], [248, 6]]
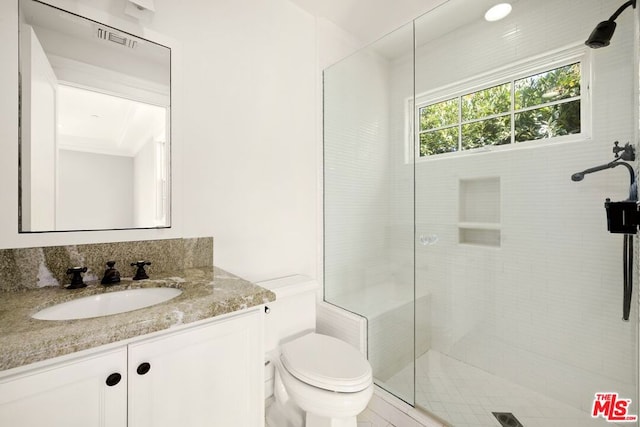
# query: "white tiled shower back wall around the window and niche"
[[544, 308]]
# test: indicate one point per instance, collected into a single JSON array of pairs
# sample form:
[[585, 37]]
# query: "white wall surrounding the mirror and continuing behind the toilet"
[[244, 154]]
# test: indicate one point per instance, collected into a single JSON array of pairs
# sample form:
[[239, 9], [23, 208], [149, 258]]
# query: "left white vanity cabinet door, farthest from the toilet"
[[68, 394]]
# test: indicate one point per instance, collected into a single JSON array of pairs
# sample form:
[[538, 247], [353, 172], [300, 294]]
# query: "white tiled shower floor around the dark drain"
[[466, 396]]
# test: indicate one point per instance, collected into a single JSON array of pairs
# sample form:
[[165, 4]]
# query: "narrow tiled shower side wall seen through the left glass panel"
[[356, 175]]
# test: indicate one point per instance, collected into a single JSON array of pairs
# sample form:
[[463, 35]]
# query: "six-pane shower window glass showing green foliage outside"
[[528, 104]]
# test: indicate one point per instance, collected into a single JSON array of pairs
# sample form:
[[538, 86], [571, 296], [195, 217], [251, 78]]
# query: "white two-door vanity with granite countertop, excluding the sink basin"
[[194, 360]]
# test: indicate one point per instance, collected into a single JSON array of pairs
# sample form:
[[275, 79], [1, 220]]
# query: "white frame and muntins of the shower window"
[[505, 74]]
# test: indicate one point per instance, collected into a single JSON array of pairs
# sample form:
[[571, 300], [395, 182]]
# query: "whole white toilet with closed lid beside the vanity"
[[315, 380]]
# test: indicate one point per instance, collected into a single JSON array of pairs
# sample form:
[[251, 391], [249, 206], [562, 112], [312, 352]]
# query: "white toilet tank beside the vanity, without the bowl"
[[294, 310]]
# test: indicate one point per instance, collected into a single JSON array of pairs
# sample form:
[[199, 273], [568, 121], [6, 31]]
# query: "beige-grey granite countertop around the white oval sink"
[[207, 292]]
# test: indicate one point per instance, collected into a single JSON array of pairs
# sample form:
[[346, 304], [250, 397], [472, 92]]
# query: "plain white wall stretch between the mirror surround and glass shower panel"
[[252, 171]]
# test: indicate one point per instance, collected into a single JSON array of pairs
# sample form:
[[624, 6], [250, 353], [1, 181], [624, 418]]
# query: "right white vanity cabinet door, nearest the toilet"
[[210, 375]]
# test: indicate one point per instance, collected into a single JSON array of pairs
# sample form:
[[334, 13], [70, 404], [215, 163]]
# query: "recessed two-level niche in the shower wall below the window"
[[479, 212]]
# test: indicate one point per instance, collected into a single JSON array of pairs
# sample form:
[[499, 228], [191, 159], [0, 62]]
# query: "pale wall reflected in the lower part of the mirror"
[[94, 189]]
